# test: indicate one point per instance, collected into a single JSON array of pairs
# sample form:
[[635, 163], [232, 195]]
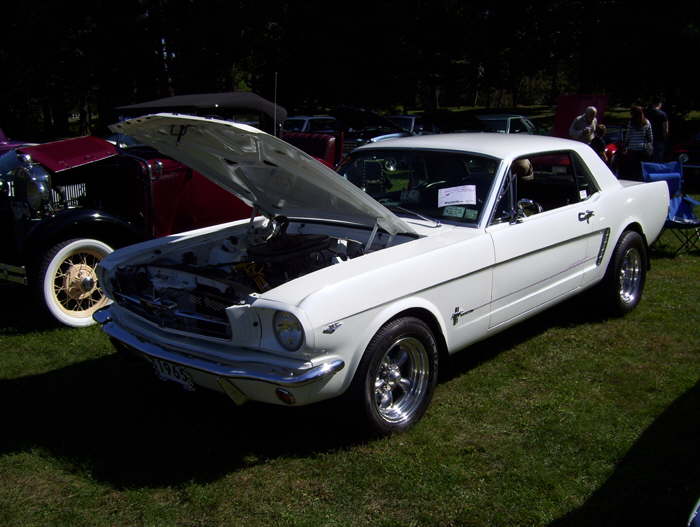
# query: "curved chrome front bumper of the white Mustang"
[[280, 376]]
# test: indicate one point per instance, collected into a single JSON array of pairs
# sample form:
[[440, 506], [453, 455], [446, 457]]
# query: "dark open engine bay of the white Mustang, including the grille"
[[190, 289]]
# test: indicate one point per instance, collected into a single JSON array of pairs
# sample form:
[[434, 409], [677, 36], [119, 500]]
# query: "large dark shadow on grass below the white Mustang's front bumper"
[[111, 419]]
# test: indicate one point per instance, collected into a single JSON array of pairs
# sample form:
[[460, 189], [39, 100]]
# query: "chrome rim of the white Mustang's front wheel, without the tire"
[[402, 380]]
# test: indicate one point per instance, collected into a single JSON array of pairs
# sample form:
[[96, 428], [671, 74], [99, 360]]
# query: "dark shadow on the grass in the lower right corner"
[[658, 481]]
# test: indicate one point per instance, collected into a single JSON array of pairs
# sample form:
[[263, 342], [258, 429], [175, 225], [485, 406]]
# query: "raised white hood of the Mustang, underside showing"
[[262, 170]]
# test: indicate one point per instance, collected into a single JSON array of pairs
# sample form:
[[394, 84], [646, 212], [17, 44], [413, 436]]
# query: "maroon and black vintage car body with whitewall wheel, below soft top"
[[65, 205]]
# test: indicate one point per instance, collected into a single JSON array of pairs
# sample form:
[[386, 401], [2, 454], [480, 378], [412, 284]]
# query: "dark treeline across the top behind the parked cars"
[[73, 62]]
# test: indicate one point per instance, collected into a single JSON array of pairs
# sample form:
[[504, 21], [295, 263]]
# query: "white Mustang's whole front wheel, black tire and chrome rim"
[[395, 380]]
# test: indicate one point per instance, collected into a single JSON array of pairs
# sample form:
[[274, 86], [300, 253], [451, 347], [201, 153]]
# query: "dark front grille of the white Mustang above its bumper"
[[166, 315]]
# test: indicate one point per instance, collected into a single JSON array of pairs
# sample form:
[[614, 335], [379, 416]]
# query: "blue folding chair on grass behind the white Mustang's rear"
[[681, 220]]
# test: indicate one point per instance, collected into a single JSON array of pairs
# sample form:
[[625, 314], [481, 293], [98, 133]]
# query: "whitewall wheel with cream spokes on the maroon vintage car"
[[66, 281]]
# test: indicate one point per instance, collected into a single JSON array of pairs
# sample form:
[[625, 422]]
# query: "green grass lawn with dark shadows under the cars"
[[567, 419]]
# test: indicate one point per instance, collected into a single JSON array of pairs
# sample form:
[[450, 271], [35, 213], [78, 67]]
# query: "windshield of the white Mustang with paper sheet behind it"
[[441, 185]]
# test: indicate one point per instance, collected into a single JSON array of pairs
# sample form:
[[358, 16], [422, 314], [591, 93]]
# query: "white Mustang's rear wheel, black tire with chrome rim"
[[626, 274]]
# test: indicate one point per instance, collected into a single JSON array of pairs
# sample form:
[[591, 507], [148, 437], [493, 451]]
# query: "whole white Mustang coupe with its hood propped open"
[[363, 283]]
